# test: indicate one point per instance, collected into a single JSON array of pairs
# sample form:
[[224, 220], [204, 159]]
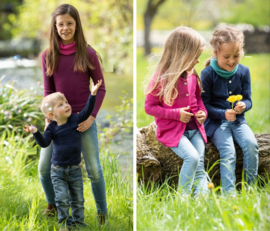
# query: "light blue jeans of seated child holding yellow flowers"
[[244, 137]]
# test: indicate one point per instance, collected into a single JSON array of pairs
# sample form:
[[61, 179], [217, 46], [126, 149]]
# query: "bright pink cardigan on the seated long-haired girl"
[[169, 128]]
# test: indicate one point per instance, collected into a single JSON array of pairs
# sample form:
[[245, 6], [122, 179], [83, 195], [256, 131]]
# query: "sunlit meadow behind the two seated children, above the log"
[[258, 117]]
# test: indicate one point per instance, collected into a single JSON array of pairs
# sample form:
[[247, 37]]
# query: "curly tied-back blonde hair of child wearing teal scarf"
[[226, 35]]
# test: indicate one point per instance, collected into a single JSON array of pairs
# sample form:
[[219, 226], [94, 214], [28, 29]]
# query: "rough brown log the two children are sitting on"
[[155, 161]]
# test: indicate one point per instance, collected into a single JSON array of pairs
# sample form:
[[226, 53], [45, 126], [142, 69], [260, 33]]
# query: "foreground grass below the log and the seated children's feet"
[[163, 209]]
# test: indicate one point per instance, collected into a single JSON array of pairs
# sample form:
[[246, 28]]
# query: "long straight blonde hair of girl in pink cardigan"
[[181, 48]]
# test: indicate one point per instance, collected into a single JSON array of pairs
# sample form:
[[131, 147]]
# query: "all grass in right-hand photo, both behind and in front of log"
[[162, 208]]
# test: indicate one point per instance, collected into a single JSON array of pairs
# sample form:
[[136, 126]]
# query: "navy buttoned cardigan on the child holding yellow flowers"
[[216, 90]]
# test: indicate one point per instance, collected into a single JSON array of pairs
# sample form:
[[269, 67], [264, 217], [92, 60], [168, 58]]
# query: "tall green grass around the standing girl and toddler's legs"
[[22, 200]]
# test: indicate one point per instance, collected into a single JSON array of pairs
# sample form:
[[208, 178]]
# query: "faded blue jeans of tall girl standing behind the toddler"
[[90, 152]]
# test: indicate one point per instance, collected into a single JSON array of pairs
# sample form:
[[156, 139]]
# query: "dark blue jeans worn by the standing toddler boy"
[[68, 187]]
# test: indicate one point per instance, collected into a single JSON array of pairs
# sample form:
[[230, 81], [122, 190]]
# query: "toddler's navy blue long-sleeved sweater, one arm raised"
[[66, 139]]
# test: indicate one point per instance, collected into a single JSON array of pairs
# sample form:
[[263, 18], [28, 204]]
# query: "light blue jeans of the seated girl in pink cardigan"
[[191, 149]]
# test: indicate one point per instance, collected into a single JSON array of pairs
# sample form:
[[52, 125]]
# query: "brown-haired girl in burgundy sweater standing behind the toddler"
[[68, 64]]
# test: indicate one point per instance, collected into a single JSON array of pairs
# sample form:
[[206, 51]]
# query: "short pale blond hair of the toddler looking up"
[[50, 101]]
